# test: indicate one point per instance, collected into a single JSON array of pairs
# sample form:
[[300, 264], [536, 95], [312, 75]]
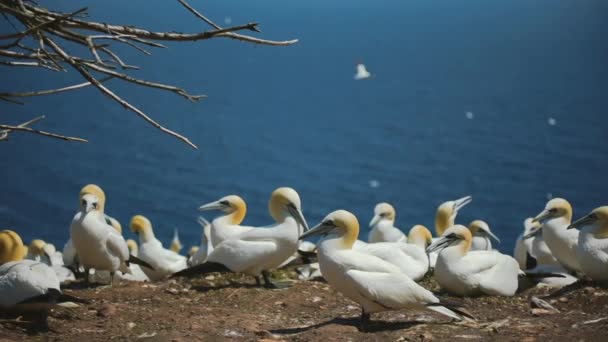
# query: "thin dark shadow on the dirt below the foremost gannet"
[[370, 327]]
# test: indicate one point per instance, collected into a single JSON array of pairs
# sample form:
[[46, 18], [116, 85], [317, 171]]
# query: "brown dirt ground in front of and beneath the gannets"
[[231, 307]]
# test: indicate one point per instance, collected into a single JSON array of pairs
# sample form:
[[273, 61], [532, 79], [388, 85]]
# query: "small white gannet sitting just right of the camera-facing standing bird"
[[164, 261]]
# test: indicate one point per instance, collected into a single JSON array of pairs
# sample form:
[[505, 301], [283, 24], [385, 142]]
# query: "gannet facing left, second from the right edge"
[[555, 219]]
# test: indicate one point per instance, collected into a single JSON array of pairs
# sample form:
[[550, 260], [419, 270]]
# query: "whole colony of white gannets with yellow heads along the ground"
[[380, 274]]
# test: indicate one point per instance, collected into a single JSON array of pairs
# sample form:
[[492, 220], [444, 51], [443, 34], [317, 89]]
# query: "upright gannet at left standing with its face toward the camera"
[[98, 244]]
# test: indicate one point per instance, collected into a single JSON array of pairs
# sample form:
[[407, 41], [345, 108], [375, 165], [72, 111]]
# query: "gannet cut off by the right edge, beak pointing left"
[[592, 248]]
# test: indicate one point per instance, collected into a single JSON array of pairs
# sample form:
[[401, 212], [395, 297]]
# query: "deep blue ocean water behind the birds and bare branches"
[[294, 116]]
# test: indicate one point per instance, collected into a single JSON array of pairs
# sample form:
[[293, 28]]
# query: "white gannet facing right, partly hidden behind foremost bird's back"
[[410, 258]]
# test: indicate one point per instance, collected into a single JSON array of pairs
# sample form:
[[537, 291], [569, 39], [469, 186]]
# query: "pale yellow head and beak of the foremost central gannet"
[[340, 223]]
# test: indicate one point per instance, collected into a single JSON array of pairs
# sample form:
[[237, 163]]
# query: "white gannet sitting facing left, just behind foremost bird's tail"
[[463, 272]]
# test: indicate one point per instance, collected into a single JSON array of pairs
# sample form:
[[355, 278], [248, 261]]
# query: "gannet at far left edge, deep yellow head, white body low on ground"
[[24, 282]]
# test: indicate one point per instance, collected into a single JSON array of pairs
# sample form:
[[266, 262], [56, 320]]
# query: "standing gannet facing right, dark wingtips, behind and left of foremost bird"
[[258, 250]]
